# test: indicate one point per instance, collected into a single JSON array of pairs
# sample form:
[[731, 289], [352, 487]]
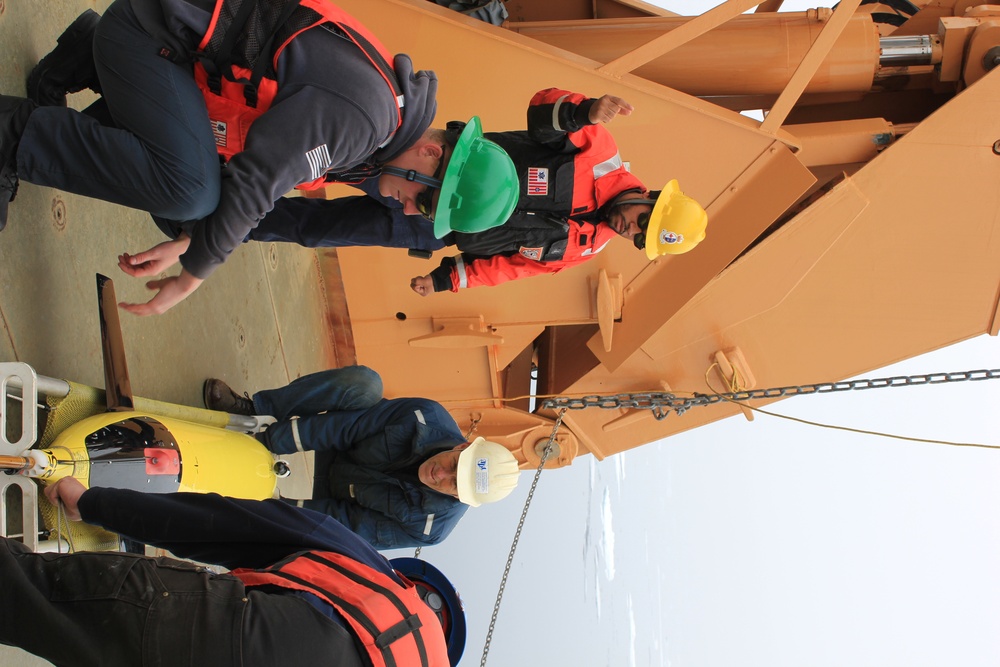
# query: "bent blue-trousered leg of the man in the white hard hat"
[[348, 388]]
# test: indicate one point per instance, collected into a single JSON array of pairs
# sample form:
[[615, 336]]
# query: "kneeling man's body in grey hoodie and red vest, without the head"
[[290, 93]]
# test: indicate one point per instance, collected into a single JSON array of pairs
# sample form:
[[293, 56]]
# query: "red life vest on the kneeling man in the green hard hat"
[[237, 95]]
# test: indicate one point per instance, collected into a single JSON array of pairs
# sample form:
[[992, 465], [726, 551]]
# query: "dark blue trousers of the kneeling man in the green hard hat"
[[159, 156]]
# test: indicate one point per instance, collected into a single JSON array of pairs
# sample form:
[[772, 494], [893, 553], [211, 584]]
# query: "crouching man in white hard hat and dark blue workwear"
[[398, 472]]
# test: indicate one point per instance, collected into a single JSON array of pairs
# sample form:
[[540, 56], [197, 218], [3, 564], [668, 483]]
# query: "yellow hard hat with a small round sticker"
[[677, 223]]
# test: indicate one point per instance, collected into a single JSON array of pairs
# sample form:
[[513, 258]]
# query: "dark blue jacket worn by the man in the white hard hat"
[[372, 456]]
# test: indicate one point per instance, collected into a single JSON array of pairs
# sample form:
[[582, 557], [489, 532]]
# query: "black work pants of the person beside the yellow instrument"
[[111, 609]]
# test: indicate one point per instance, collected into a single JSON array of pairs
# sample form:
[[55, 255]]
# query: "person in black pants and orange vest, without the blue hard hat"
[[303, 591]]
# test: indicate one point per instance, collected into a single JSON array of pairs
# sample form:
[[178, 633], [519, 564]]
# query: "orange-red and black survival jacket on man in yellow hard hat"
[[569, 170]]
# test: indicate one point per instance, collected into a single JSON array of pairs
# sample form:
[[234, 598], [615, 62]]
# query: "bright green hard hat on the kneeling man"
[[480, 187]]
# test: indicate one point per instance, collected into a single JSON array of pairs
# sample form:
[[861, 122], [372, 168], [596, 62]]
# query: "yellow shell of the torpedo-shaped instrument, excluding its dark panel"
[[213, 460]]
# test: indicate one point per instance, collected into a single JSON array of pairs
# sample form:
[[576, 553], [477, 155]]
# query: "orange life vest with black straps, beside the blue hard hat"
[[391, 621]]
